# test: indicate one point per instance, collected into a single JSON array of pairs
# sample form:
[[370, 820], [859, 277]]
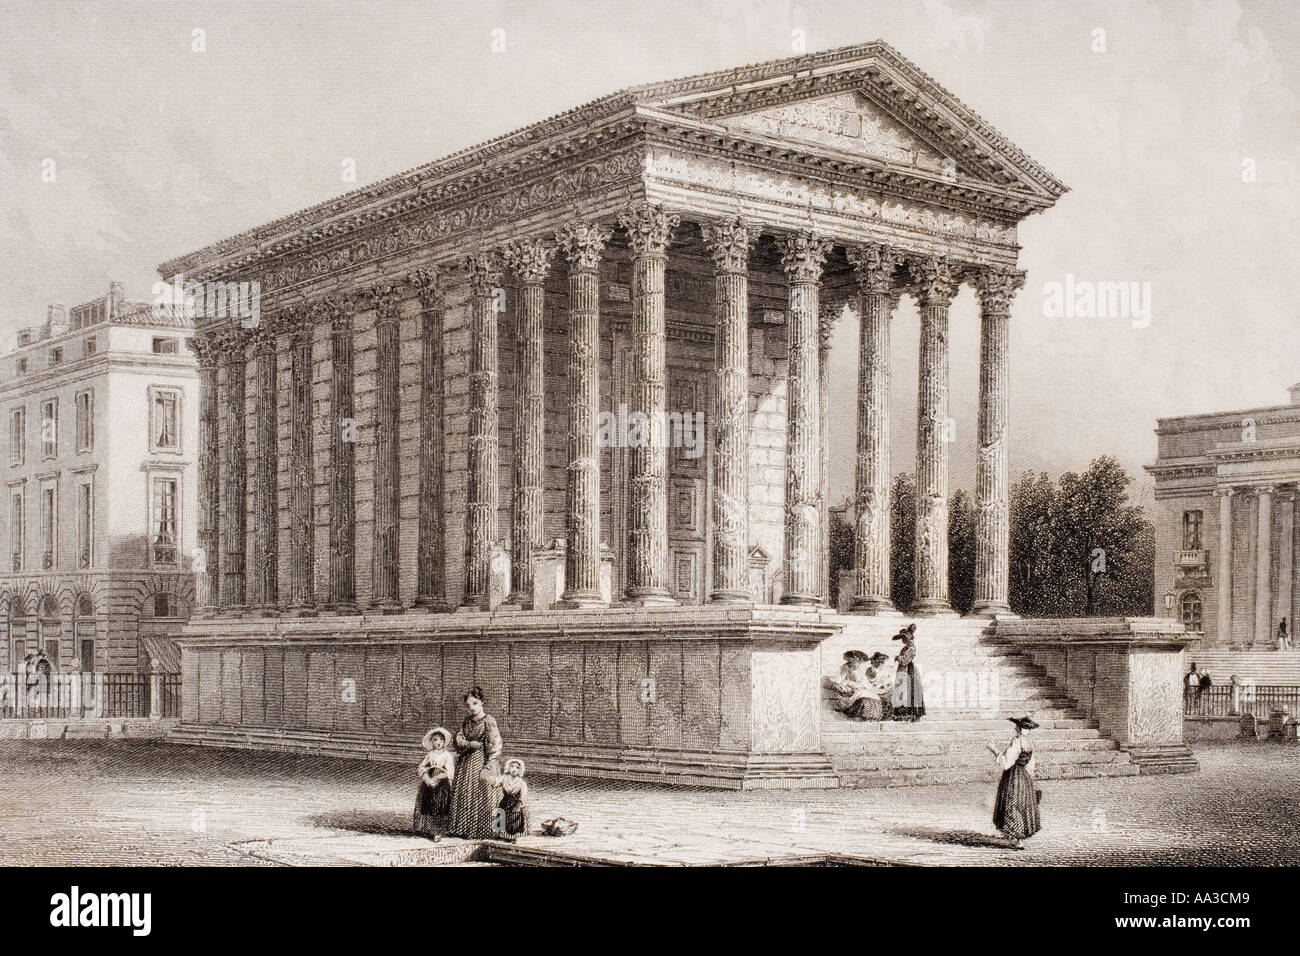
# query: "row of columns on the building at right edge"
[[1263, 625]]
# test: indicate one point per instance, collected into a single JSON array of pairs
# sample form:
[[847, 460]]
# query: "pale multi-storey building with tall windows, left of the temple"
[[98, 456]]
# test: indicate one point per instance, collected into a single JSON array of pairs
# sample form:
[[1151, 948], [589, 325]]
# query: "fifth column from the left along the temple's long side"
[[343, 487]]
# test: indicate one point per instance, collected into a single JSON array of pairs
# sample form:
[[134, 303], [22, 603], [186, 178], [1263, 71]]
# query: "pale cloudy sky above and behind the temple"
[[1175, 124]]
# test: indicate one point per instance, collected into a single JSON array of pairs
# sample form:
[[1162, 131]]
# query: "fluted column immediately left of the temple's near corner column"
[[583, 245]]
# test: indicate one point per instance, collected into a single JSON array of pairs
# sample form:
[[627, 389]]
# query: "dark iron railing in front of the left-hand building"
[[90, 695]]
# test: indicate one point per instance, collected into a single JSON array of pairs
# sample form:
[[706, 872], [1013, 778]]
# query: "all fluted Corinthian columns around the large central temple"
[[649, 230]]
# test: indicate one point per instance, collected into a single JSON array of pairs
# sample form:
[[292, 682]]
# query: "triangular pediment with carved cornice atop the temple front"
[[868, 102]]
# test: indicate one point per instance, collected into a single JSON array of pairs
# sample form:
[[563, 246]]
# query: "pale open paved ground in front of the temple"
[[88, 802]]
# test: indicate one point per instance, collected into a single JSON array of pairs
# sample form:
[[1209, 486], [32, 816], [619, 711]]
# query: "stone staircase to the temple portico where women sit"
[[973, 686]]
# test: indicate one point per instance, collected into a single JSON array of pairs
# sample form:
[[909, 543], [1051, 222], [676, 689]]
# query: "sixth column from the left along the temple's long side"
[[388, 491]]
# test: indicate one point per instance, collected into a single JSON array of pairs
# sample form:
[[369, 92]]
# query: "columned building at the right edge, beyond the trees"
[[1227, 546]]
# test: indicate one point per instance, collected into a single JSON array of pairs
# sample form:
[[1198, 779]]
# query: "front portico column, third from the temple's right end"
[[874, 267]]
